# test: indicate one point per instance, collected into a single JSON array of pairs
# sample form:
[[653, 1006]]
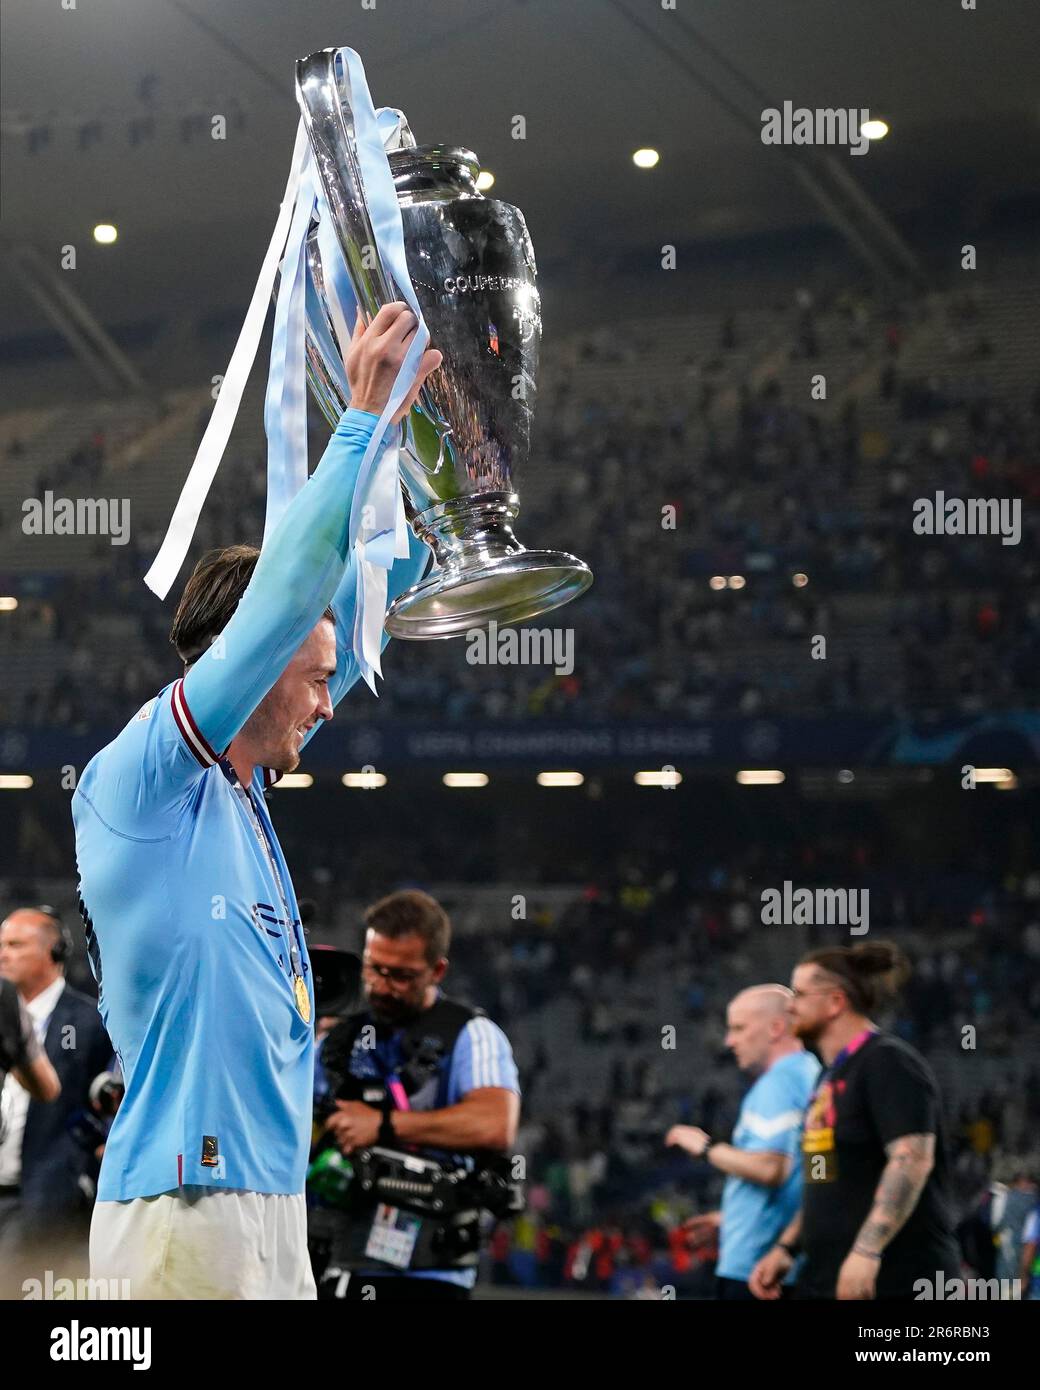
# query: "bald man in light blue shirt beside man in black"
[[763, 1172]]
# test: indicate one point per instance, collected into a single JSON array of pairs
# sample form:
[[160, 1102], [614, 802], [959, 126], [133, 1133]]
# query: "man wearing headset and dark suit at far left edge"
[[45, 1175]]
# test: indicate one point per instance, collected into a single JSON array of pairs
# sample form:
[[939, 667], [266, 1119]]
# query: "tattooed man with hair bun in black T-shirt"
[[875, 1218]]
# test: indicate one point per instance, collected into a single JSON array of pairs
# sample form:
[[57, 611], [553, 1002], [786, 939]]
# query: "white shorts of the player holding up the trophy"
[[205, 1243]]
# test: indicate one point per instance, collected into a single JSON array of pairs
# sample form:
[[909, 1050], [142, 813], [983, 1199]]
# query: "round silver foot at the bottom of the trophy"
[[486, 575]]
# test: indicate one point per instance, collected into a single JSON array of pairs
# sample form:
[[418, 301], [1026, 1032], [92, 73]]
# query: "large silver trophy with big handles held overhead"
[[472, 265]]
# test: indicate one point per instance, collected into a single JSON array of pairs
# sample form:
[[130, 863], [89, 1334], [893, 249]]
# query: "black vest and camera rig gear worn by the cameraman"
[[404, 1210]]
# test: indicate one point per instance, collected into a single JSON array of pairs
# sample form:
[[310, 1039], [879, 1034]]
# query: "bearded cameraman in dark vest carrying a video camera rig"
[[415, 1077]]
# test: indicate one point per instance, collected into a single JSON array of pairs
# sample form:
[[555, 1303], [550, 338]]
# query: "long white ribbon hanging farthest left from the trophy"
[[186, 519]]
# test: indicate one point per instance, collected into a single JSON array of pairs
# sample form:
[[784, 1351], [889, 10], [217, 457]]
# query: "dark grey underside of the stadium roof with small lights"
[[594, 79]]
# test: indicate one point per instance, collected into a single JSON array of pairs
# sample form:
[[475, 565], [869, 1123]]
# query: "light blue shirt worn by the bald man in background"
[[770, 1121]]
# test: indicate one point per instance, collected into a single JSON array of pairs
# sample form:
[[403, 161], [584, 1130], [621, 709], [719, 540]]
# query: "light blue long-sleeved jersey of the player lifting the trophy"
[[193, 919]]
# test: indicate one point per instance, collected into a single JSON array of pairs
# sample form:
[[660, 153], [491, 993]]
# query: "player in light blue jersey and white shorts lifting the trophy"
[[193, 924]]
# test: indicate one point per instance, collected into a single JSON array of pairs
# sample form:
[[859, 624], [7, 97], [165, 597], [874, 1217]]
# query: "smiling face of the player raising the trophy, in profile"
[[300, 698]]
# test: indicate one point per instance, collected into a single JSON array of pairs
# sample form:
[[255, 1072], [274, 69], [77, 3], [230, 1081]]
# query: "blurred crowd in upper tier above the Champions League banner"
[[789, 491]]
